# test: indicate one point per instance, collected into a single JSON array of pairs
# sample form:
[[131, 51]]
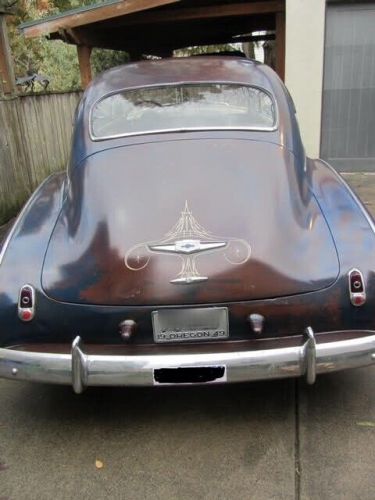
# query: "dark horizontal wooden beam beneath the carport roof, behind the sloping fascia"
[[204, 12]]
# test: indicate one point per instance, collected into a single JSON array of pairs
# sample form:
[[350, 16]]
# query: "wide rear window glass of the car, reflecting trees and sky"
[[182, 107]]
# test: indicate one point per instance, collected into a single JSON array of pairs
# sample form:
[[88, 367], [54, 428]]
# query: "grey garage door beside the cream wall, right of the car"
[[348, 116]]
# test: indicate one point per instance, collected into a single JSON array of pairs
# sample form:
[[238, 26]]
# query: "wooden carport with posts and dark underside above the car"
[[158, 27]]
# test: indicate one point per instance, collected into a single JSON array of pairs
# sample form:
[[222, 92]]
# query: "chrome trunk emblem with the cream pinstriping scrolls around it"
[[188, 240]]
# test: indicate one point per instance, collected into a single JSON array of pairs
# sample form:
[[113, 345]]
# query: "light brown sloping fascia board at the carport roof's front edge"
[[90, 16]]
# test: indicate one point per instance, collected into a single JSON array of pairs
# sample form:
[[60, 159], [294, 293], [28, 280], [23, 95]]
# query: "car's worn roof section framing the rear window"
[[202, 69]]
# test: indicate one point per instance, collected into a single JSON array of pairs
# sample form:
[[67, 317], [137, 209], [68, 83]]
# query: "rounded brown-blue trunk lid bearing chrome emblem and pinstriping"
[[188, 222]]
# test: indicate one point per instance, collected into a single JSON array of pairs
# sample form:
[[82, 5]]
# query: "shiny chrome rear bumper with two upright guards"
[[81, 370]]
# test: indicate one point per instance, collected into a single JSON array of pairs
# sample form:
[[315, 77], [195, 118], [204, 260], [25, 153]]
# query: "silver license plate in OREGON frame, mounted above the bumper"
[[190, 325]]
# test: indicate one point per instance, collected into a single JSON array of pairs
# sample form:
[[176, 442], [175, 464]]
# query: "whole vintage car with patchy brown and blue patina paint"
[[190, 241]]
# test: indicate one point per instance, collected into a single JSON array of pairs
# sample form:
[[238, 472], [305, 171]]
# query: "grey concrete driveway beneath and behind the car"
[[271, 440]]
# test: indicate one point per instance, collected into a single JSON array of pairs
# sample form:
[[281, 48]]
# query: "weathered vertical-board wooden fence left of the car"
[[35, 134]]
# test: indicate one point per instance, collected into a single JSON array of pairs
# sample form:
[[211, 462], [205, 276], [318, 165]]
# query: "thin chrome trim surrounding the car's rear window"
[[183, 129]]
